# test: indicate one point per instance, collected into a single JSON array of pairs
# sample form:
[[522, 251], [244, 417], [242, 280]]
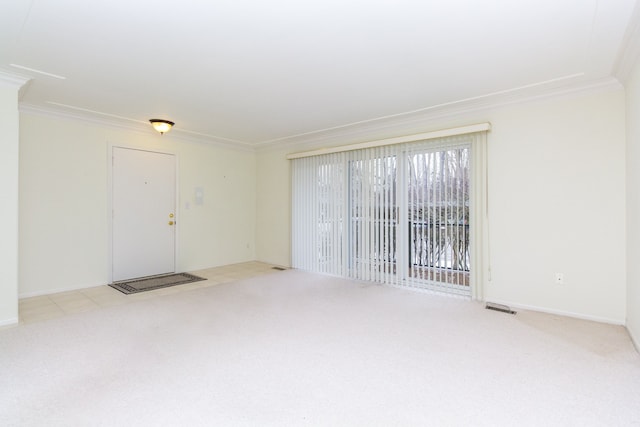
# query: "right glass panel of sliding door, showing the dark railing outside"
[[438, 218]]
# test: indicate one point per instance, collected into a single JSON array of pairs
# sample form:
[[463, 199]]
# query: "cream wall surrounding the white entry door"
[[64, 223]]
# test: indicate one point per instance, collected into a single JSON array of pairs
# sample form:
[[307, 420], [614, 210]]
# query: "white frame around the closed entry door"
[[110, 148]]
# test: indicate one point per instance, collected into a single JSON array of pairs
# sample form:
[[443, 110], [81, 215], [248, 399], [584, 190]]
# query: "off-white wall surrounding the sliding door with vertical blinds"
[[556, 200]]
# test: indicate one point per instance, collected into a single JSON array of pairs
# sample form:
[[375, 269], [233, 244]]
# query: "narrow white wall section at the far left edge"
[[9, 203]]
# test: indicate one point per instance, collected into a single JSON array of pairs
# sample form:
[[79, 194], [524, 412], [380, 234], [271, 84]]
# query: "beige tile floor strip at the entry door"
[[45, 307]]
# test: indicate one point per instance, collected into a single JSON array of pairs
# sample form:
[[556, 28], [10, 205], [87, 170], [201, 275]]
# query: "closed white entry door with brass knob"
[[143, 217]]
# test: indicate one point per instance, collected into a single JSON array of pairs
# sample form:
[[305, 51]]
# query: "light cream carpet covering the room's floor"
[[294, 348]]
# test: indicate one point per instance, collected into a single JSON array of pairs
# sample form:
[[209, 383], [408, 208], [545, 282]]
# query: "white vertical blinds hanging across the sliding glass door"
[[406, 214]]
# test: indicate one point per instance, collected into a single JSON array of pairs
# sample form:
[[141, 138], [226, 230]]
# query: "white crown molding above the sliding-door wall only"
[[423, 120]]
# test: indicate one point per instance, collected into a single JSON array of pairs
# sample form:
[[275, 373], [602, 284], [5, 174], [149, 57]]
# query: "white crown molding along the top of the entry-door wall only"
[[123, 123]]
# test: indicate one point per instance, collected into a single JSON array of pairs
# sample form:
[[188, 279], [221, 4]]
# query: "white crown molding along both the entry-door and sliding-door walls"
[[391, 126]]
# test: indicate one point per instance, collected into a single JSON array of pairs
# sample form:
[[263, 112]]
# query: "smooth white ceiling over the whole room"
[[254, 73]]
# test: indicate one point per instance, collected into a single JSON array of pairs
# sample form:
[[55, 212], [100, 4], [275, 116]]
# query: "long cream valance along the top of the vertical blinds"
[[443, 133]]
